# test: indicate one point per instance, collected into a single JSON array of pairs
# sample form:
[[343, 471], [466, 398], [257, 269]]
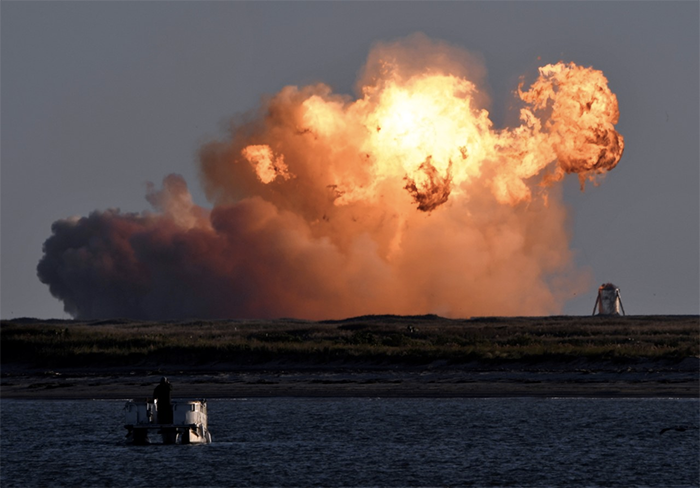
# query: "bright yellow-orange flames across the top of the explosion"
[[425, 130]]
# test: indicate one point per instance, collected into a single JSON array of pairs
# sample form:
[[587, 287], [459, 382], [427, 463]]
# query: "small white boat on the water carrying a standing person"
[[189, 425]]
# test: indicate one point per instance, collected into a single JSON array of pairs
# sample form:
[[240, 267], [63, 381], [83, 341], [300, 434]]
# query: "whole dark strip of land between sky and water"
[[385, 355]]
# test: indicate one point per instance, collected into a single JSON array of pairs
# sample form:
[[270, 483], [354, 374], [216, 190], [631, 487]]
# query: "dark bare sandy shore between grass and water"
[[577, 379]]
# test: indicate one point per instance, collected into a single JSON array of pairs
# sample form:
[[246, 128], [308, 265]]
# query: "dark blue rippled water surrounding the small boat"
[[364, 442]]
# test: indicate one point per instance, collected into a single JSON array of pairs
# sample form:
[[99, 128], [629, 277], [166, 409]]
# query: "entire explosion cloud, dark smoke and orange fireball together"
[[403, 199]]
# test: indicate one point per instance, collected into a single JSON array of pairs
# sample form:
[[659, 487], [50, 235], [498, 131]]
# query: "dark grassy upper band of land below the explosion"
[[378, 340]]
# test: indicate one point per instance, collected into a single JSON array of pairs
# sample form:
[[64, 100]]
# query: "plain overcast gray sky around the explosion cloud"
[[100, 97]]
